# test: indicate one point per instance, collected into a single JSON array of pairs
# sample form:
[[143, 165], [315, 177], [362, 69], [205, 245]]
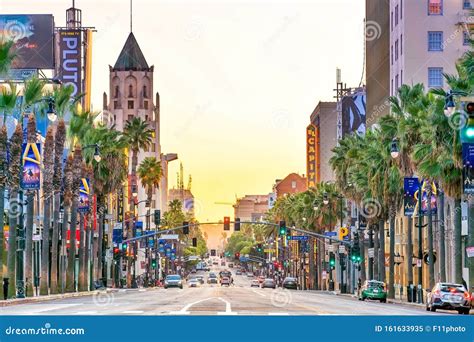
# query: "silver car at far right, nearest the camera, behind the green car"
[[449, 296]]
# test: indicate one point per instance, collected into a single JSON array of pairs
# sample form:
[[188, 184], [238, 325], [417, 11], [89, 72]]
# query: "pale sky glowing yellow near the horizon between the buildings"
[[238, 79]]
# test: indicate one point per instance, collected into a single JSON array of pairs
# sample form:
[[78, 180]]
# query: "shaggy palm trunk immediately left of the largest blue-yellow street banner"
[[15, 208]]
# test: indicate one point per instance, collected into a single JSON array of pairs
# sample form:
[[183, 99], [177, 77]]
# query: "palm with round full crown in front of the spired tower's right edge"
[[138, 135]]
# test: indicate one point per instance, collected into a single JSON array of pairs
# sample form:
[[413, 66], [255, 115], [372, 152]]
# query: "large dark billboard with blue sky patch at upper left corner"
[[33, 36]]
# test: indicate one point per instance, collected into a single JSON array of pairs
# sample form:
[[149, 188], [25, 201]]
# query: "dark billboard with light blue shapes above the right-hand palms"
[[353, 113]]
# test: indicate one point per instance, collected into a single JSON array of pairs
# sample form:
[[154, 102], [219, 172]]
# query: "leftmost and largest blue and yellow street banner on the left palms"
[[31, 173]]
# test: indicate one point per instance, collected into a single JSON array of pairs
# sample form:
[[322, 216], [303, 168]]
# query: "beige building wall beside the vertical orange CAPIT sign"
[[324, 118]]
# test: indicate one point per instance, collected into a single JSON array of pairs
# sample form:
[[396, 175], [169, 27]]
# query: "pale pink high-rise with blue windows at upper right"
[[426, 39]]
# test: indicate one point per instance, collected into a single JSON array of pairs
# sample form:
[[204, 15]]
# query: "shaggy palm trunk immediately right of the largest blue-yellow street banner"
[[48, 164]]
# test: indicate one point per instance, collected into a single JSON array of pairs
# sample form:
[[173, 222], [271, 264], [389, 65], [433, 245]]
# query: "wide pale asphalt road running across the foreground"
[[239, 299]]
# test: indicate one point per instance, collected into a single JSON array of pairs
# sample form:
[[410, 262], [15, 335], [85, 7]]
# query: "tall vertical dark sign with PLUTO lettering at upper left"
[[70, 59]]
